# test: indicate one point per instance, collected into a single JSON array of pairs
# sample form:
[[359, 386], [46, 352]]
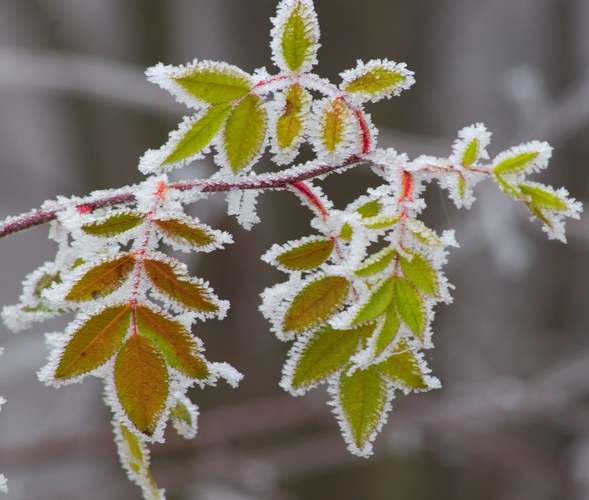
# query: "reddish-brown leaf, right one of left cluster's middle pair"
[[180, 288]]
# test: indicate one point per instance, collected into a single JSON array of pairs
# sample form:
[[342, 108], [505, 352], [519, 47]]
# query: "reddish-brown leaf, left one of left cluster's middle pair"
[[102, 279]]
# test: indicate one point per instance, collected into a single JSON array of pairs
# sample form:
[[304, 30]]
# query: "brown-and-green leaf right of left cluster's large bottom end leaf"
[[173, 341]]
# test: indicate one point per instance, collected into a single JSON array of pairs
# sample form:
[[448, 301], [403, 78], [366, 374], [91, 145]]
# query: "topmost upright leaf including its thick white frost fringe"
[[295, 36]]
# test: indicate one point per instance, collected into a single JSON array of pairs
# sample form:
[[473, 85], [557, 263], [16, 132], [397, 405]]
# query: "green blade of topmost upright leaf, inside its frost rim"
[[297, 40]]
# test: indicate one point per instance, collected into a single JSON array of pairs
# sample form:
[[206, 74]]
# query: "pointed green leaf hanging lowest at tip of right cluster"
[[363, 399]]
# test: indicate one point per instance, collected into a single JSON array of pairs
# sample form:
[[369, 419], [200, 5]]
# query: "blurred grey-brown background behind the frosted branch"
[[512, 421]]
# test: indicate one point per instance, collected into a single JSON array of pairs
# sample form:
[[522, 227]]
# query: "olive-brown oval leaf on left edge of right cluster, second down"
[[315, 303]]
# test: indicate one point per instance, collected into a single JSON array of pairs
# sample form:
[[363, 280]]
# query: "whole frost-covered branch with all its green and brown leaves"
[[361, 290]]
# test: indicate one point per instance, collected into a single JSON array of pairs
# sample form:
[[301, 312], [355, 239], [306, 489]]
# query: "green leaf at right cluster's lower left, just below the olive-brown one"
[[327, 351]]
